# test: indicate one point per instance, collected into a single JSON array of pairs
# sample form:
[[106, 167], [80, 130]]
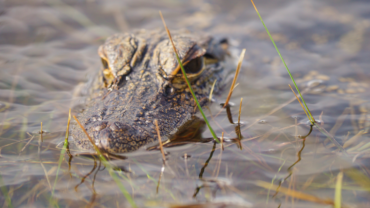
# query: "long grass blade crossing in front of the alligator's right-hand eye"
[[188, 83]]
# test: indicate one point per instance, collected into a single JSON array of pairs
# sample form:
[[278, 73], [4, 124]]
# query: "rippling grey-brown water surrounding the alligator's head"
[[49, 49]]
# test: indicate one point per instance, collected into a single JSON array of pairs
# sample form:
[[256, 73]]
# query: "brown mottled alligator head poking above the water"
[[138, 84]]
